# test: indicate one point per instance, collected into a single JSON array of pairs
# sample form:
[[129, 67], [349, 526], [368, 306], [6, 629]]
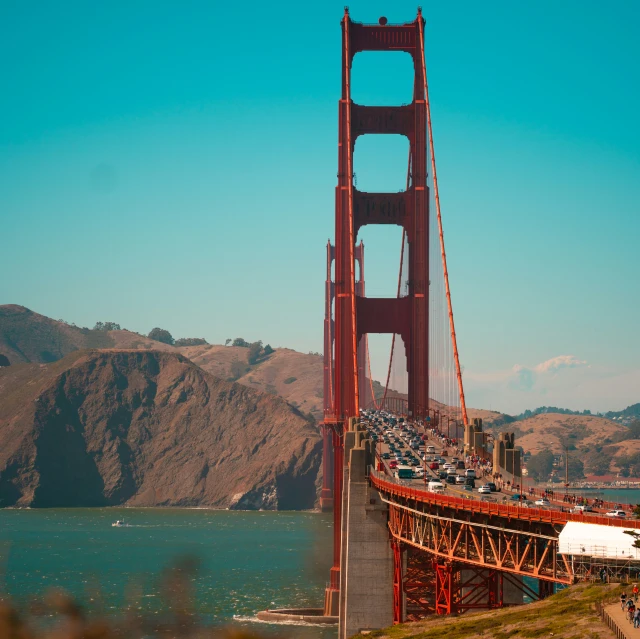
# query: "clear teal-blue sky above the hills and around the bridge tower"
[[174, 165]]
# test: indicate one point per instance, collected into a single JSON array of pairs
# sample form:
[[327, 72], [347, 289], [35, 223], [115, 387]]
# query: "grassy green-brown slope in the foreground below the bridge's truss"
[[569, 614]]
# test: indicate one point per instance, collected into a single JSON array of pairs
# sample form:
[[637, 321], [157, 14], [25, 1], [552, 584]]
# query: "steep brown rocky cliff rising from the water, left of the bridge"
[[146, 429]]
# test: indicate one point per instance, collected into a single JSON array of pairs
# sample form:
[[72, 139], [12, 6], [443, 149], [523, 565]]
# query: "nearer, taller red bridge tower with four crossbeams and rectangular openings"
[[354, 314]]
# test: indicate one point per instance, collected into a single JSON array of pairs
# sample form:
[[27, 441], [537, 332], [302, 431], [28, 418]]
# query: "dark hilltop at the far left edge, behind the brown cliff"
[[26, 336]]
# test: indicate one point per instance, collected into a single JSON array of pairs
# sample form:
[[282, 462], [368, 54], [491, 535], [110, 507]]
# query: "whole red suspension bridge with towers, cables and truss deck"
[[400, 551]]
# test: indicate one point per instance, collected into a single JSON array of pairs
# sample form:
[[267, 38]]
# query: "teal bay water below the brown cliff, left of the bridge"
[[246, 561]]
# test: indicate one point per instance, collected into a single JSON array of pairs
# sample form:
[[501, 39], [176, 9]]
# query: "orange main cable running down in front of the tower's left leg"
[[354, 326]]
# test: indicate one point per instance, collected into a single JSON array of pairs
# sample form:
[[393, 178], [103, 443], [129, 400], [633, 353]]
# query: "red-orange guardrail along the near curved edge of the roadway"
[[386, 484]]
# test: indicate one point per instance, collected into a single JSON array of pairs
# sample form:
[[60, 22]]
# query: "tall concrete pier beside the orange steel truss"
[[366, 589]]
